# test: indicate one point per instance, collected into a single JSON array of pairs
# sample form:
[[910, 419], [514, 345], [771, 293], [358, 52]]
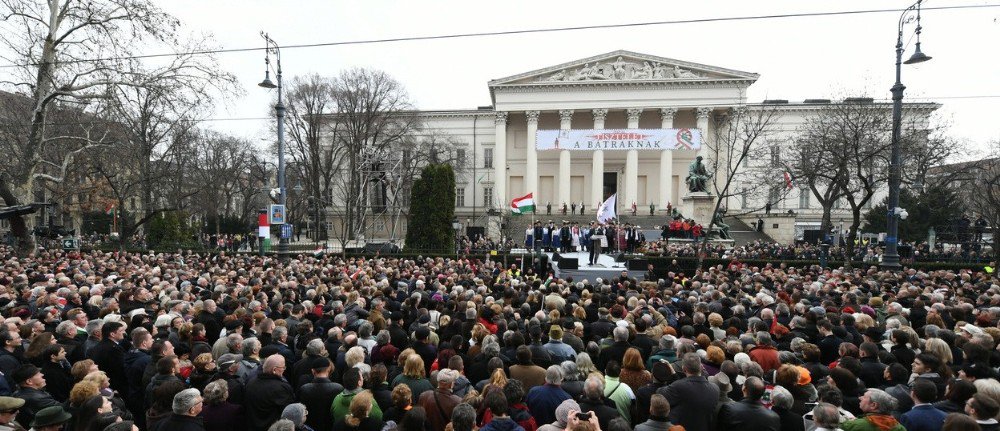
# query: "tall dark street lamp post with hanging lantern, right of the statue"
[[890, 260]]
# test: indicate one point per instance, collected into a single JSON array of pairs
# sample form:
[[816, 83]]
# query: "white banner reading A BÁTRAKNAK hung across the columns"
[[618, 139]]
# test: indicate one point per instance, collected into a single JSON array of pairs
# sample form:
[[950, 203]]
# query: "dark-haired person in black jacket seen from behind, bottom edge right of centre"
[[693, 398]]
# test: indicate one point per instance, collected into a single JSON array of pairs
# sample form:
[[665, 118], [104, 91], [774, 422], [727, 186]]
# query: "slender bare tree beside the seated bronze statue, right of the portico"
[[739, 138]]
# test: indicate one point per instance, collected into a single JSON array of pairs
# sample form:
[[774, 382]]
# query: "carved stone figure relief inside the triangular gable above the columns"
[[621, 70]]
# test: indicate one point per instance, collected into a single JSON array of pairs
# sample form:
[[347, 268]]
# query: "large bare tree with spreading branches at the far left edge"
[[73, 52]]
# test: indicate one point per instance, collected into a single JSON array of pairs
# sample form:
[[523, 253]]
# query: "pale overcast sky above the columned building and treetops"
[[797, 58]]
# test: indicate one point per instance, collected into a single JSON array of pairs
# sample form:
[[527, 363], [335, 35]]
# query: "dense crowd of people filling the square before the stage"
[[179, 342]]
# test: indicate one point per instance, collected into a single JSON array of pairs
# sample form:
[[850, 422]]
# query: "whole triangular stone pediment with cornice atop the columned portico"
[[624, 66]]
